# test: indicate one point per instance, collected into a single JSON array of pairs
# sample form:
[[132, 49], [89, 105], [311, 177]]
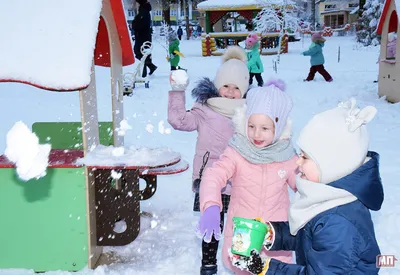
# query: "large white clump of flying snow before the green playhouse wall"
[[31, 158]]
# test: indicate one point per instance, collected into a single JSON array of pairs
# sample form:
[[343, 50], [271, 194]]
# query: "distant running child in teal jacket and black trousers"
[[317, 58]]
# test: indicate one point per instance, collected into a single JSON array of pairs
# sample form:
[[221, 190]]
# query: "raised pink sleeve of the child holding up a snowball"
[[178, 117]]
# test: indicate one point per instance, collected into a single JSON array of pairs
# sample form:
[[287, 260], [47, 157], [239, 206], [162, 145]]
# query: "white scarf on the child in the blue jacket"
[[313, 198]]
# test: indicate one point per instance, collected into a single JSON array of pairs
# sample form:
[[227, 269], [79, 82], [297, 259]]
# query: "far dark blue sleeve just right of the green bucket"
[[283, 239]]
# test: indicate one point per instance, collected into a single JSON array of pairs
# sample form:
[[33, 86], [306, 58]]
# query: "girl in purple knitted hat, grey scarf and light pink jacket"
[[260, 162]]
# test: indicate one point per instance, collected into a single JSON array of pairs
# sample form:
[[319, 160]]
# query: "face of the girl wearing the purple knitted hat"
[[260, 130]]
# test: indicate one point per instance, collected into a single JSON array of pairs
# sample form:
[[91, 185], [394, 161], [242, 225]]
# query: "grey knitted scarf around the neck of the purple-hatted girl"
[[280, 151]]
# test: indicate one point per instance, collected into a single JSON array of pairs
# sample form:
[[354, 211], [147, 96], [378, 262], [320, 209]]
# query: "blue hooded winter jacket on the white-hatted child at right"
[[340, 240]]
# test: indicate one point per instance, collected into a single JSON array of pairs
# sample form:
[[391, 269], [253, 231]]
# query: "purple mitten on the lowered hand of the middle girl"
[[210, 223]]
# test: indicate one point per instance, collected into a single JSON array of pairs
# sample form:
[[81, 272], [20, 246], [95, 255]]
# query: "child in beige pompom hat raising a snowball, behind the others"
[[211, 117]]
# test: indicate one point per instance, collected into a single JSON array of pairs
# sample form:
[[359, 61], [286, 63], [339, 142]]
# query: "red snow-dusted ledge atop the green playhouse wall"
[[57, 159]]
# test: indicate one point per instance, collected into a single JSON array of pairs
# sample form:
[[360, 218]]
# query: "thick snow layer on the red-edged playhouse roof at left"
[[48, 43]]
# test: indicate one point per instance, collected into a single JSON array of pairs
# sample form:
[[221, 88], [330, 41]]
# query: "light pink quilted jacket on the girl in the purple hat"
[[258, 191]]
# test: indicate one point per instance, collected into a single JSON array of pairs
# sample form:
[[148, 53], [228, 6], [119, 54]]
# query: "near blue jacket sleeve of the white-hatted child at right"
[[334, 250]]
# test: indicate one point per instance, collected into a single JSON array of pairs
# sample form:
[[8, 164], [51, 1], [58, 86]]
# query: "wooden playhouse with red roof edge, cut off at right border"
[[389, 68]]
